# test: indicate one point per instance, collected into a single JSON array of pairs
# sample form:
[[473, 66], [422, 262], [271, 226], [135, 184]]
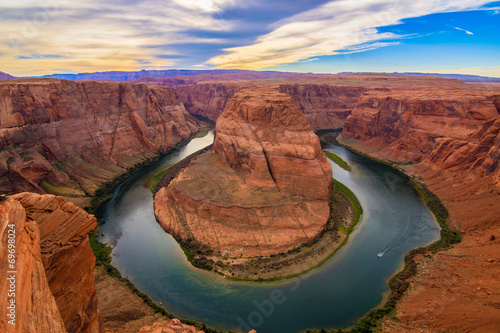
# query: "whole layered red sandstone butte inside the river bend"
[[264, 190]]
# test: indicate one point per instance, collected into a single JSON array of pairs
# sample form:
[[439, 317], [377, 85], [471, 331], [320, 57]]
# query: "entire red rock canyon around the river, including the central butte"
[[68, 138]]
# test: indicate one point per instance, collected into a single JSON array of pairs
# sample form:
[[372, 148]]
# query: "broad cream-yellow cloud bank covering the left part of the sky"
[[111, 35]]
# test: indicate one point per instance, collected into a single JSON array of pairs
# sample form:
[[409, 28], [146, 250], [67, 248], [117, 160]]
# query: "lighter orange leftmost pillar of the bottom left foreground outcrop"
[[35, 307]]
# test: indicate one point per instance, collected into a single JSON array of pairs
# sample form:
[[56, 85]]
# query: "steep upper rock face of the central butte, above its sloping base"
[[264, 134]]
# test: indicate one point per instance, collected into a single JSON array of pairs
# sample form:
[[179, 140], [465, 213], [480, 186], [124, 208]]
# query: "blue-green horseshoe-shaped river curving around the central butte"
[[336, 294]]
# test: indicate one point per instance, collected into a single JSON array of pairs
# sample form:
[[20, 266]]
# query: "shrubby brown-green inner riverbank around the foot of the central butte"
[[345, 213]]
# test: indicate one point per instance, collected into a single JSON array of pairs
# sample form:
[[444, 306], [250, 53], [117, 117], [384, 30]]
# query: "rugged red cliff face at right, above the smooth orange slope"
[[408, 125]]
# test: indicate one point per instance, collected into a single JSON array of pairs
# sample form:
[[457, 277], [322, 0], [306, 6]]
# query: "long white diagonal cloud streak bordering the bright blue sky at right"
[[333, 27]]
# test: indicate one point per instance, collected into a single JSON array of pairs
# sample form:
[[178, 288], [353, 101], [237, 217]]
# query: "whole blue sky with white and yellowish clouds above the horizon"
[[321, 36]]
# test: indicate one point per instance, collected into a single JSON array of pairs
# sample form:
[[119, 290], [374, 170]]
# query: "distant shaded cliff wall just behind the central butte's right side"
[[324, 106]]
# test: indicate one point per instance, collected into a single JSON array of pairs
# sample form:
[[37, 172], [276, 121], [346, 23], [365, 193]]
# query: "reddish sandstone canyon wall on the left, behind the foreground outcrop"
[[69, 137]]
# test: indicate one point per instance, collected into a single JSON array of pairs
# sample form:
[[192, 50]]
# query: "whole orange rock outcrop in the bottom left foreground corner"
[[55, 265]]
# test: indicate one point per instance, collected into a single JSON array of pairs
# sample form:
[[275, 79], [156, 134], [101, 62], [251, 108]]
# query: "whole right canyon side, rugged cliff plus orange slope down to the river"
[[451, 136]]
